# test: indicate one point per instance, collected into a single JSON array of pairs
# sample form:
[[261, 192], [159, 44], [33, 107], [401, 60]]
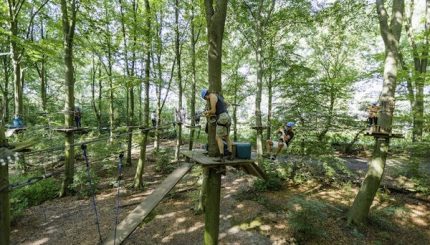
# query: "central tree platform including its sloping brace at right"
[[247, 165]]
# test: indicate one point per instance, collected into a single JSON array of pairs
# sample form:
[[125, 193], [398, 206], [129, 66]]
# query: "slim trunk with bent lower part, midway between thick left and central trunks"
[[138, 183]]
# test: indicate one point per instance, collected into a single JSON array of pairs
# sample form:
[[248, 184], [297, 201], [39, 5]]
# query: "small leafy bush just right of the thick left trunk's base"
[[82, 184]]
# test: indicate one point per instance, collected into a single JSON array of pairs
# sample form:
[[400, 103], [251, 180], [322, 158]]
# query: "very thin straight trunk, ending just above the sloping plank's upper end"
[[178, 61]]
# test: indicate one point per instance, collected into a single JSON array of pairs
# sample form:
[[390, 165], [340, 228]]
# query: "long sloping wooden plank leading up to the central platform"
[[136, 217]]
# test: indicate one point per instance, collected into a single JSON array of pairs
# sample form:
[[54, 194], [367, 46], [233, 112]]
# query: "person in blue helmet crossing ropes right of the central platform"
[[286, 134]]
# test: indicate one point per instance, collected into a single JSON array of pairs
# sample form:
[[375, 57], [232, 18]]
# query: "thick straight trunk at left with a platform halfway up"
[[69, 11]]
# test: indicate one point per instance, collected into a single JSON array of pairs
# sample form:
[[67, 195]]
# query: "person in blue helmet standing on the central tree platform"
[[218, 109]]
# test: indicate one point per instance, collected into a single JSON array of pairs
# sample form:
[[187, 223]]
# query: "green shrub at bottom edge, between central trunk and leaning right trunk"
[[306, 218]]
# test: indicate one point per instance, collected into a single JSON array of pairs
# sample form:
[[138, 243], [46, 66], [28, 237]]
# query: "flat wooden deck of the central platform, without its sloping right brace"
[[197, 156]]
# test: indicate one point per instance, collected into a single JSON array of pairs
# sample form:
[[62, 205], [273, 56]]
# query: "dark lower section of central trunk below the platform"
[[212, 203]]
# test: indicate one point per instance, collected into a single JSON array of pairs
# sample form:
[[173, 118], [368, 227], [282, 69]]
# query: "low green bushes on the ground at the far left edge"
[[31, 195]]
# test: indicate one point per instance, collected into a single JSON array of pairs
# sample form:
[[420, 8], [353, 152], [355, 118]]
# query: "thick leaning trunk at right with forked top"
[[390, 35]]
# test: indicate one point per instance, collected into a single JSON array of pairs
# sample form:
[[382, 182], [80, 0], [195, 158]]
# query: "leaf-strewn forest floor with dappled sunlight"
[[306, 213]]
